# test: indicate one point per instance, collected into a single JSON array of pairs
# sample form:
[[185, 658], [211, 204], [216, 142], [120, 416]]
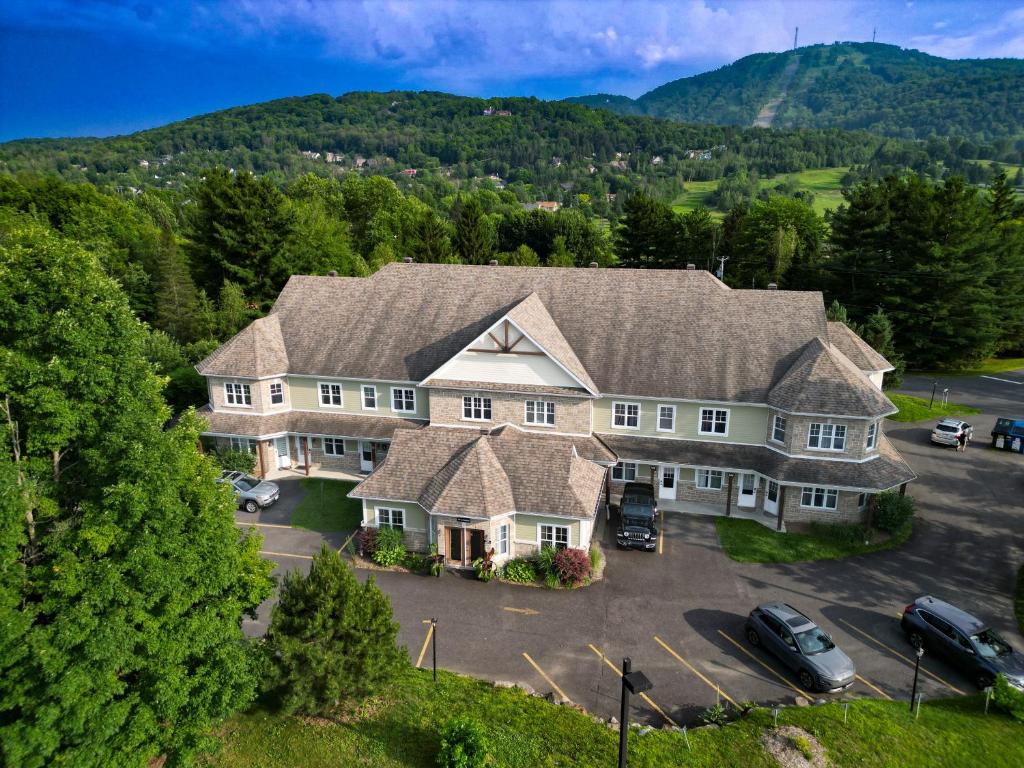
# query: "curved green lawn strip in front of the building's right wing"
[[749, 541]]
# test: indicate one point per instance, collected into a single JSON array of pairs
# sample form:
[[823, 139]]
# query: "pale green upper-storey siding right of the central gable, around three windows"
[[747, 423]]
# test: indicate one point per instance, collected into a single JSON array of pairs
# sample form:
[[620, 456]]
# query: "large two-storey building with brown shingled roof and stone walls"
[[504, 407]]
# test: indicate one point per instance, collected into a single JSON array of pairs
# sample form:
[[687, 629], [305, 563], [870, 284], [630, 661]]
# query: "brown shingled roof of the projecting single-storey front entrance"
[[465, 473]]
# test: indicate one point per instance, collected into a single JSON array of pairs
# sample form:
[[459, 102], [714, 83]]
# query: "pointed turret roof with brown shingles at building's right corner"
[[825, 381]]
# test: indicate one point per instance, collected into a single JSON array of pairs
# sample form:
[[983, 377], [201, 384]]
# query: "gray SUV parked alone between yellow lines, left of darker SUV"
[[801, 646]]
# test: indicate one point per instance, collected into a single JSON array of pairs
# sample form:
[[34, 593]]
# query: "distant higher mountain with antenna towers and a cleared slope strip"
[[855, 87]]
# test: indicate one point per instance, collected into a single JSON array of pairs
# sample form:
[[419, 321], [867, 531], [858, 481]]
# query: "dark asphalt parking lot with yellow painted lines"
[[679, 613]]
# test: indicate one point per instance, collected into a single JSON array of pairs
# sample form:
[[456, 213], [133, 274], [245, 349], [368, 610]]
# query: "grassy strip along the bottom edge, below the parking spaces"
[[402, 730]]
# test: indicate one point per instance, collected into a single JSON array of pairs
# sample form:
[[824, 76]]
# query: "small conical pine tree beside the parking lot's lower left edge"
[[331, 641]]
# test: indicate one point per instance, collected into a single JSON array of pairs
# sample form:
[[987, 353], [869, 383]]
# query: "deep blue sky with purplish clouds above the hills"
[[106, 67]]
